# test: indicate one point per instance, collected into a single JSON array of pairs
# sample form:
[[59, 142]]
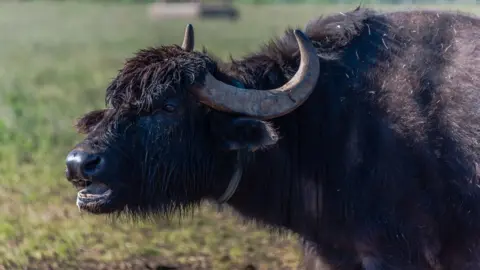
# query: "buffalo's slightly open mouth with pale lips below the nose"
[[94, 198]]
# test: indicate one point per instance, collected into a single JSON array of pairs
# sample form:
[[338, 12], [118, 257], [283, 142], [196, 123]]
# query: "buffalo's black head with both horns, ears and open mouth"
[[172, 130]]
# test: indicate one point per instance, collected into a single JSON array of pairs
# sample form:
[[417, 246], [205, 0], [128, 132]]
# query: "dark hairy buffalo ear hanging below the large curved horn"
[[247, 133]]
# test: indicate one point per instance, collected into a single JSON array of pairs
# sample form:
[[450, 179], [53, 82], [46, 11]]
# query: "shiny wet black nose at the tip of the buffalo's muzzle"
[[81, 164]]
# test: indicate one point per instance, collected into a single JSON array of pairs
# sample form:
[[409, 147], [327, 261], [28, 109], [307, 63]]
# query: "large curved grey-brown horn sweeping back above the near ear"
[[266, 104]]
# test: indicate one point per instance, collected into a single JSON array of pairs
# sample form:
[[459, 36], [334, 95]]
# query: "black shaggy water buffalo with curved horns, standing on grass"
[[364, 138]]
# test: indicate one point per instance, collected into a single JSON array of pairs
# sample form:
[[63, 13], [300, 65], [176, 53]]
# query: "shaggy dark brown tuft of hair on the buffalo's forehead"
[[154, 70]]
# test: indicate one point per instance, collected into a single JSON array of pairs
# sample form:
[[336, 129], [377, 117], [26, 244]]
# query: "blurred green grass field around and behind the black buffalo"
[[55, 61]]
